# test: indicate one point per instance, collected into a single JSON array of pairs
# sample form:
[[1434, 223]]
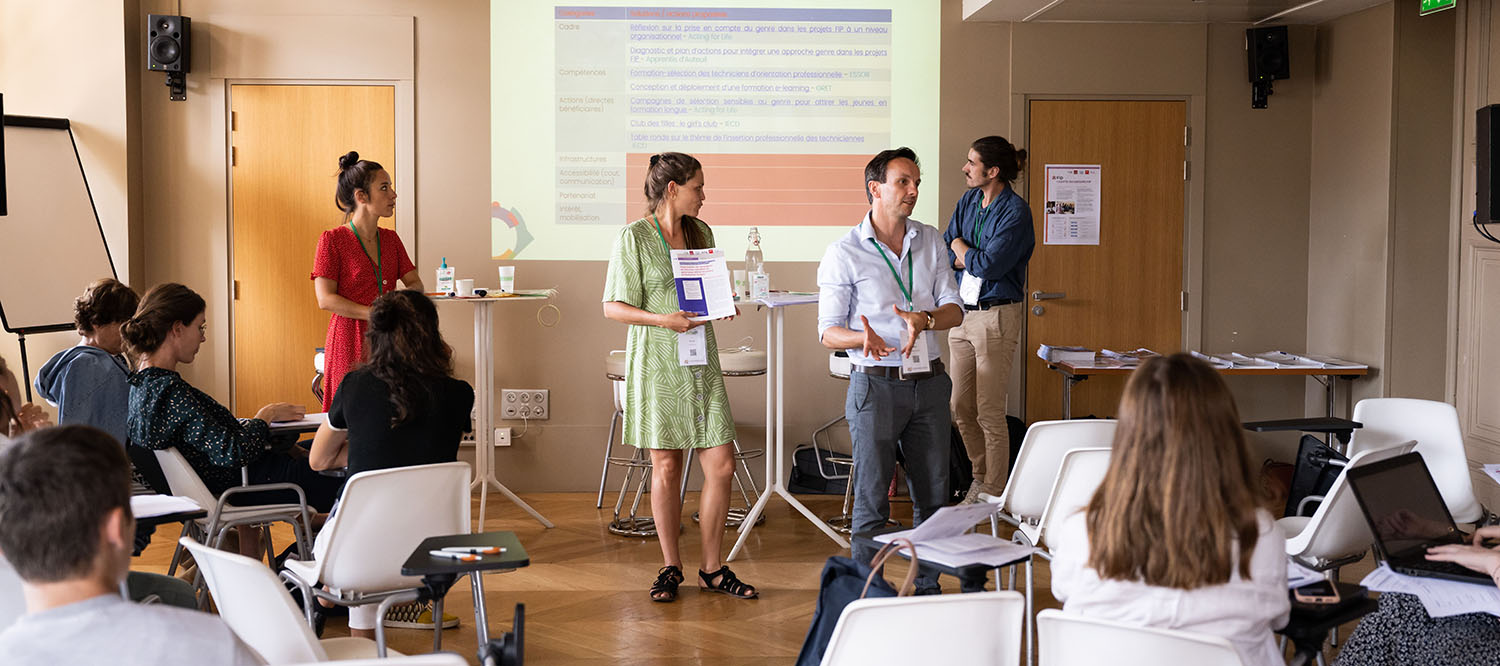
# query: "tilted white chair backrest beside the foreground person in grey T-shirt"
[[257, 607]]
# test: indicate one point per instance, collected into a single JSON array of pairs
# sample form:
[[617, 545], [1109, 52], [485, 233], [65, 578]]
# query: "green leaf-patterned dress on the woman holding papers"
[[667, 406]]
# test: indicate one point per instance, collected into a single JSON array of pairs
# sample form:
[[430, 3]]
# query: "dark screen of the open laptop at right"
[[1403, 506]]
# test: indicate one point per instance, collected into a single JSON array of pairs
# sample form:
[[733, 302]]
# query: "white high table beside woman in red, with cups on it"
[[484, 397]]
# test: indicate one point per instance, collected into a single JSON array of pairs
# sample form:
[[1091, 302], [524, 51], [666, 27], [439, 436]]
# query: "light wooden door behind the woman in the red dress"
[[287, 145]]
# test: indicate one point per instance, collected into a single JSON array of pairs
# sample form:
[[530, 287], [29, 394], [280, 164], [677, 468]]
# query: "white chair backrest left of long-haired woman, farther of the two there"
[[1042, 454]]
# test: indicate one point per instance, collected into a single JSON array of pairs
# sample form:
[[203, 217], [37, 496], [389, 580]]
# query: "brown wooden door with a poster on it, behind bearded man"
[[1126, 292]]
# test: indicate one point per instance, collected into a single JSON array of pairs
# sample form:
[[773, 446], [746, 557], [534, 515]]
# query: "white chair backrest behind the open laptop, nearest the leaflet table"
[[1435, 427]]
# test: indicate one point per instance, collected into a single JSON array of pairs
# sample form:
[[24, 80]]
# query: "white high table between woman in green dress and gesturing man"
[[776, 415]]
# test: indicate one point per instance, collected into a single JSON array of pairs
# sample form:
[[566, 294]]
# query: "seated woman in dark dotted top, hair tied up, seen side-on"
[[167, 412]]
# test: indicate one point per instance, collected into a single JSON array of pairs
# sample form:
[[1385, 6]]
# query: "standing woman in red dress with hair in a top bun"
[[349, 260]]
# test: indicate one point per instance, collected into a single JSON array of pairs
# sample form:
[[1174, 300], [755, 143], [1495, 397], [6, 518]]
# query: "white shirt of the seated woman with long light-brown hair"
[[1246, 613]]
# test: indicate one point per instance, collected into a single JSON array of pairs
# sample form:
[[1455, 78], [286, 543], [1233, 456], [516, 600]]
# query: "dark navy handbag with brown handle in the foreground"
[[845, 581]]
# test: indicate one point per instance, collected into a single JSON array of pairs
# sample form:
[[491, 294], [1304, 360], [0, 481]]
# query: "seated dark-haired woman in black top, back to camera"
[[401, 409]]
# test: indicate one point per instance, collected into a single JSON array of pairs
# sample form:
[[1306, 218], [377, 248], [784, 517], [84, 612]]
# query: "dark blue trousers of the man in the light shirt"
[[898, 415]]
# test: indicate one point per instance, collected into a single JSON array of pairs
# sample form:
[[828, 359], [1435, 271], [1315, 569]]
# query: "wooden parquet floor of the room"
[[586, 590]]
